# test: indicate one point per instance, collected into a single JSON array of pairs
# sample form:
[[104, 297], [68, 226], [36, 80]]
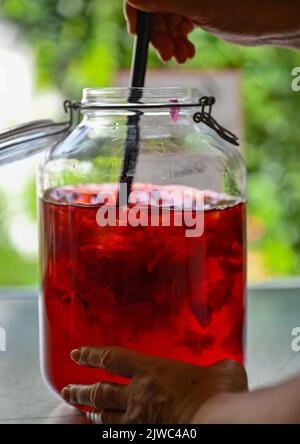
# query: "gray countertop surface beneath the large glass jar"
[[272, 314]]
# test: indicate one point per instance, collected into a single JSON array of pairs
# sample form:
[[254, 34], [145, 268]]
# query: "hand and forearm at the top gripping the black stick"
[[259, 22]]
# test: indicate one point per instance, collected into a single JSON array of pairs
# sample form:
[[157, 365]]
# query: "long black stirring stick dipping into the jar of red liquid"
[[138, 71]]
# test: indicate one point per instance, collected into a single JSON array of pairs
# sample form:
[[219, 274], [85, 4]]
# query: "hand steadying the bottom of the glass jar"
[[161, 391]]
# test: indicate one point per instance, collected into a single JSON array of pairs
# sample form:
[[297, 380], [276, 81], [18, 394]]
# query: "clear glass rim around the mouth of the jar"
[[120, 95]]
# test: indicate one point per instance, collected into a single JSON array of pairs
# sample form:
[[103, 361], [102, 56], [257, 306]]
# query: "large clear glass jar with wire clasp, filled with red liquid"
[[111, 277]]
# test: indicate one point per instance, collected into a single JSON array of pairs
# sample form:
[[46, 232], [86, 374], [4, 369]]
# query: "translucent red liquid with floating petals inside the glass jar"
[[151, 289]]
